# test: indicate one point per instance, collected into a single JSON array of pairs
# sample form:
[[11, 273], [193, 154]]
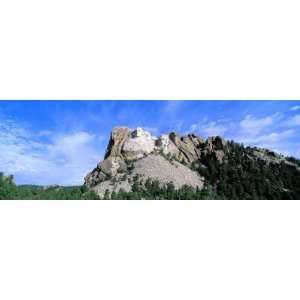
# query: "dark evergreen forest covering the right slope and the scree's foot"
[[242, 175]]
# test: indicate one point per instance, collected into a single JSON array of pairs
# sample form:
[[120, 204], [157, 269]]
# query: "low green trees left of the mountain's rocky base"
[[8, 190]]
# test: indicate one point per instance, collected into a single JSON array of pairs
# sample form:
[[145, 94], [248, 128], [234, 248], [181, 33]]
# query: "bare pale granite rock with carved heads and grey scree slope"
[[166, 158]]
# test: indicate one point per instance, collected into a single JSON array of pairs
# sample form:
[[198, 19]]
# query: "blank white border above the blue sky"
[[149, 50]]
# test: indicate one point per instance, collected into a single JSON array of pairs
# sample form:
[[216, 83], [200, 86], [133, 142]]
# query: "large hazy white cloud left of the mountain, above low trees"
[[65, 159]]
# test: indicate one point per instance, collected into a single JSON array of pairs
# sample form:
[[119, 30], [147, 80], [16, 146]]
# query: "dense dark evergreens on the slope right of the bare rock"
[[244, 176]]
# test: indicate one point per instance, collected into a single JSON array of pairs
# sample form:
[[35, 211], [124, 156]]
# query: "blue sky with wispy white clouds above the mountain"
[[59, 142]]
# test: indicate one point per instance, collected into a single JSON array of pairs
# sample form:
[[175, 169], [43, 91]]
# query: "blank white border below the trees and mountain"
[[149, 250]]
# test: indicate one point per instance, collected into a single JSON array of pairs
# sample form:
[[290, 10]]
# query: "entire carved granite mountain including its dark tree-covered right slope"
[[138, 165]]
